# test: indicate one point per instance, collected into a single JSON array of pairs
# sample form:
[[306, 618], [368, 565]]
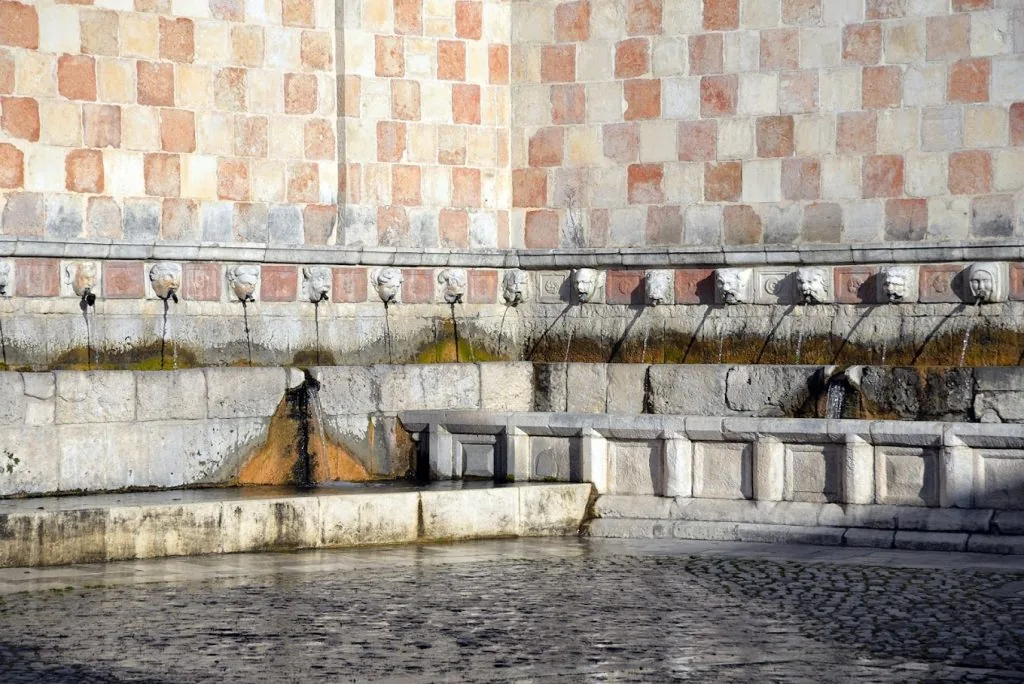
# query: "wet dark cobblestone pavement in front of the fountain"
[[521, 611]]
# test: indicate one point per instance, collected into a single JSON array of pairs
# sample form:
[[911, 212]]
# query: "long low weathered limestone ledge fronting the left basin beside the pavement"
[[62, 531]]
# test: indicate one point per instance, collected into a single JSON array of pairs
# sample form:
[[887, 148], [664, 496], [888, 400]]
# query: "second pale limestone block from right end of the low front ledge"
[[471, 514]]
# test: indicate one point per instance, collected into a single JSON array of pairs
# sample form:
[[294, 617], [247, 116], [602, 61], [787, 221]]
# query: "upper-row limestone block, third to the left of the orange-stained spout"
[[99, 397]]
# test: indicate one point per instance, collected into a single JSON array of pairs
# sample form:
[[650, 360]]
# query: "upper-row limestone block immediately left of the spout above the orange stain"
[[244, 393]]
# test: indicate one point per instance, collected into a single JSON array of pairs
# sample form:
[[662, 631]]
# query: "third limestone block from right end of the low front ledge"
[[381, 519]]
